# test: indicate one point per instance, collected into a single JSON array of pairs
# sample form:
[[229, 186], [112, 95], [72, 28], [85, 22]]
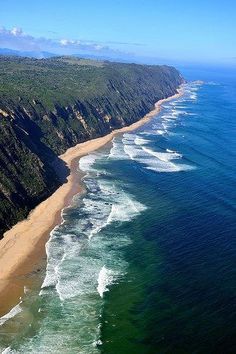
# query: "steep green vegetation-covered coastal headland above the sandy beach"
[[47, 106]]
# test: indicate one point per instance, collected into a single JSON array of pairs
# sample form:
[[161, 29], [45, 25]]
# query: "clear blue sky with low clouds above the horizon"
[[180, 30]]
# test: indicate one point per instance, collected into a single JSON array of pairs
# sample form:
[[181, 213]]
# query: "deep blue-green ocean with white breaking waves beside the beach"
[[144, 261]]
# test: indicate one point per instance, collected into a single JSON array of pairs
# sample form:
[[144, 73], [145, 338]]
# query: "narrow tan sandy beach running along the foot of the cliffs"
[[22, 250]]
